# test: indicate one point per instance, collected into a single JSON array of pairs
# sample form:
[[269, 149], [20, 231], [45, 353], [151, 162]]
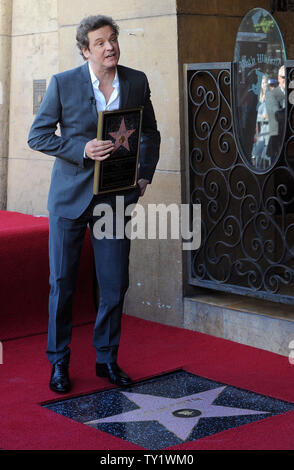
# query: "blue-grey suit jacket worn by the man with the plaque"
[[69, 103]]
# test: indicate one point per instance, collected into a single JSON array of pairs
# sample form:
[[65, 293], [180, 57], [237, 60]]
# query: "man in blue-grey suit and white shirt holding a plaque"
[[73, 100]]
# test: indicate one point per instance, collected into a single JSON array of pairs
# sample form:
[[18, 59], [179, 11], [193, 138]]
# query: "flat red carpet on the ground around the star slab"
[[25, 374]]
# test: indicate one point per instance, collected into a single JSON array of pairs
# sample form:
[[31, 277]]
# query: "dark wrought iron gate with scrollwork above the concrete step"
[[247, 217]]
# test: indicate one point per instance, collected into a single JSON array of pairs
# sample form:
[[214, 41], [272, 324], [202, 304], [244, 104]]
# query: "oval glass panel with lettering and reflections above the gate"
[[259, 90]]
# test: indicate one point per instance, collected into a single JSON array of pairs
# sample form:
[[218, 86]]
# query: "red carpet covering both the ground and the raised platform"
[[147, 349]]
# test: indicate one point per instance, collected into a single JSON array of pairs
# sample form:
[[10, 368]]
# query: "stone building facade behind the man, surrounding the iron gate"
[[37, 39]]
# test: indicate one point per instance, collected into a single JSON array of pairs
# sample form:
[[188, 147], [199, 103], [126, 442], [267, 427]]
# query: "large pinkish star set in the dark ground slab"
[[178, 415]]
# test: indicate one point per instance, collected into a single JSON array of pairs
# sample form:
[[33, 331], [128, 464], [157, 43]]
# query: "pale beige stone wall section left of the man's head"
[[35, 56]]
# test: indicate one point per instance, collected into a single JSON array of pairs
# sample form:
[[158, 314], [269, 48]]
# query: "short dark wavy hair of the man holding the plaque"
[[91, 23]]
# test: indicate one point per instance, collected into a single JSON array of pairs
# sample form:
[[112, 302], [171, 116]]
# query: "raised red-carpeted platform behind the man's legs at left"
[[24, 277]]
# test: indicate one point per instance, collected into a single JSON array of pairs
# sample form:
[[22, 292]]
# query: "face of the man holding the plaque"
[[103, 52]]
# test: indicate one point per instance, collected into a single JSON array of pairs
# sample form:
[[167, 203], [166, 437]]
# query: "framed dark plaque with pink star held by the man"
[[119, 170]]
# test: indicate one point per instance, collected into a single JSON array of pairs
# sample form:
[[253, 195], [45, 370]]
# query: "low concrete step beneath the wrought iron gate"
[[254, 322]]
